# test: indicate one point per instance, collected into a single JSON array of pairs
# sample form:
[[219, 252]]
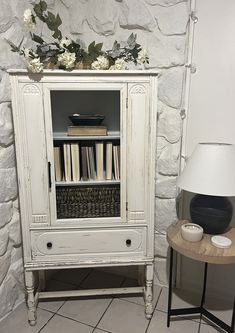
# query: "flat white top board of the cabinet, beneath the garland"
[[84, 72]]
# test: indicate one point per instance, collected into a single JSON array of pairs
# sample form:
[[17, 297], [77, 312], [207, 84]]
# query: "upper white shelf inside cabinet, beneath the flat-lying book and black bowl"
[[62, 136]]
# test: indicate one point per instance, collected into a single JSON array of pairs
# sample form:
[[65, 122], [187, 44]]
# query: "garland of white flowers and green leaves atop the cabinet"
[[65, 53]]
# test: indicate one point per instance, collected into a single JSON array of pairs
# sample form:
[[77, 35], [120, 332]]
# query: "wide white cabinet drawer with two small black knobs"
[[80, 242]]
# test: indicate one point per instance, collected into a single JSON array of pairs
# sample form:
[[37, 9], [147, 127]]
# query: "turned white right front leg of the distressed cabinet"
[[149, 291]]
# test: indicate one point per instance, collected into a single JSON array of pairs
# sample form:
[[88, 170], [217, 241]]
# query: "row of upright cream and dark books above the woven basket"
[[76, 161]]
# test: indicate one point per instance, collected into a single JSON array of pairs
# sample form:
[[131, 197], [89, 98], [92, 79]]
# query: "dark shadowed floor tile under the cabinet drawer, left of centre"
[[71, 276]]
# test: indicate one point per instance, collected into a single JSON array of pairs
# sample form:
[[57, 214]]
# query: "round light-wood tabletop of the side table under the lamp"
[[203, 250]]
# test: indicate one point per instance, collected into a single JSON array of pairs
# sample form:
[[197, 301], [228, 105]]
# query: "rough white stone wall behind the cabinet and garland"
[[161, 27]]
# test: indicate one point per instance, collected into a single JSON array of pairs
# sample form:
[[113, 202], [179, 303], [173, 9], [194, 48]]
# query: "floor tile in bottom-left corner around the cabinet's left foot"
[[17, 321]]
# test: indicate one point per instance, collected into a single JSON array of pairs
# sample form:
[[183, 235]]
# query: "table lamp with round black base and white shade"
[[210, 173]]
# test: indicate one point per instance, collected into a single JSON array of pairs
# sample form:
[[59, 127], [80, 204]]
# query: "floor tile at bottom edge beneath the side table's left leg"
[[179, 325]]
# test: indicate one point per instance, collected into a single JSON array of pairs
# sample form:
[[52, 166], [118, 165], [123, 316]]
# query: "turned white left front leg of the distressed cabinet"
[[29, 282]]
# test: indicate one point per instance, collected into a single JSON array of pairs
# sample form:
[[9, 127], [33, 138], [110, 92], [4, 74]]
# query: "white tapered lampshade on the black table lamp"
[[210, 170]]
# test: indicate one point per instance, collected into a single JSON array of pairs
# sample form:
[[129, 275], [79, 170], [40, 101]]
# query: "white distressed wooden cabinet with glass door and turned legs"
[[55, 236]]
